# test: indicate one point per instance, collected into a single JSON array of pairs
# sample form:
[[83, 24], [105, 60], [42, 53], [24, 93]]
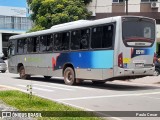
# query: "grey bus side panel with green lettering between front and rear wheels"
[[42, 64]]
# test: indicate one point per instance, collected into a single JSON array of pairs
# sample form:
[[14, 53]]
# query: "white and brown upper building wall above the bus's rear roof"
[[107, 8]]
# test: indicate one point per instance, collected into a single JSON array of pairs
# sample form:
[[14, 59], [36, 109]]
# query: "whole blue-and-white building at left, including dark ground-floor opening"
[[14, 19]]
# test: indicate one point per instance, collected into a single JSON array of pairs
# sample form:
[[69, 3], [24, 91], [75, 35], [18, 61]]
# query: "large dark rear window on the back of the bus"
[[138, 31]]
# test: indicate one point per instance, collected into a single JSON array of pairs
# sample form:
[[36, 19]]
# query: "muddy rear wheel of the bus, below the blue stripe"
[[69, 76]]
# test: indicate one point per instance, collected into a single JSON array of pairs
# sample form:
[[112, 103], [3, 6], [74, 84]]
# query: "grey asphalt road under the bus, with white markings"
[[136, 95]]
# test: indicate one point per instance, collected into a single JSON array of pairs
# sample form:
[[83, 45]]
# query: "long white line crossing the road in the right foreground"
[[109, 96]]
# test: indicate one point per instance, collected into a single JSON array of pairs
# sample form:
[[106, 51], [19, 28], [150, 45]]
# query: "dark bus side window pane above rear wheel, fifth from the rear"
[[65, 41]]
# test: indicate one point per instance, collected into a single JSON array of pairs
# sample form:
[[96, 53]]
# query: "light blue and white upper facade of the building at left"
[[14, 16]]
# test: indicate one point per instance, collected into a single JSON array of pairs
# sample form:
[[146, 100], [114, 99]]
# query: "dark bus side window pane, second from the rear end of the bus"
[[96, 37]]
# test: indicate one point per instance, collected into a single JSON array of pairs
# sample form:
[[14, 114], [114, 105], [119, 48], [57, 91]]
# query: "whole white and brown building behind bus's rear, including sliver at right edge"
[[108, 8]]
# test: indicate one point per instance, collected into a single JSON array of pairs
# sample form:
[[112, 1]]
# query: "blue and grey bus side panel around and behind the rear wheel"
[[89, 64]]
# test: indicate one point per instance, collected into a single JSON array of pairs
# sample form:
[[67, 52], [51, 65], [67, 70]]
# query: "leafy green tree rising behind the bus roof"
[[47, 13]]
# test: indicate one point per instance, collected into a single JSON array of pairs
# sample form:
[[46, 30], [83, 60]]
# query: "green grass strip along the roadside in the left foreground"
[[23, 102]]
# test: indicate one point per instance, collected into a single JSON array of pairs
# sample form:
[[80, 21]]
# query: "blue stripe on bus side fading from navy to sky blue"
[[87, 59]]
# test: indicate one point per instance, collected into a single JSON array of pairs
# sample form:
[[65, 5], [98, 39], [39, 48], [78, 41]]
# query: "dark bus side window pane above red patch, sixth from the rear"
[[57, 42]]
